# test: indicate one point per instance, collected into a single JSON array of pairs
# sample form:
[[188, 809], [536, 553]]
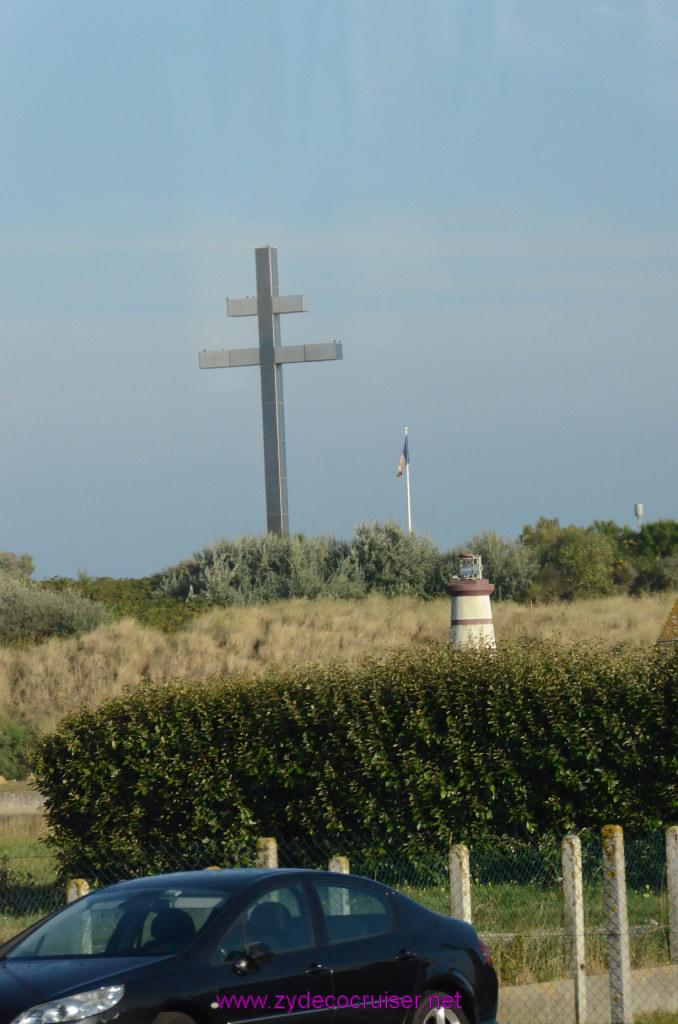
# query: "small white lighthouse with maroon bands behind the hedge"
[[472, 623]]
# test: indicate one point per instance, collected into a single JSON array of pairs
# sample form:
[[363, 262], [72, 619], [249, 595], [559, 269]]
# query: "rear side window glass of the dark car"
[[354, 912]]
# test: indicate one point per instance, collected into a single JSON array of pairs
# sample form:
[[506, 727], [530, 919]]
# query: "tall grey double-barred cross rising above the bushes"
[[271, 356]]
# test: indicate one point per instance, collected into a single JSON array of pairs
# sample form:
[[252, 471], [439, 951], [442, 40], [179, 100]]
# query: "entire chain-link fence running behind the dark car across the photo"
[[517, 905]]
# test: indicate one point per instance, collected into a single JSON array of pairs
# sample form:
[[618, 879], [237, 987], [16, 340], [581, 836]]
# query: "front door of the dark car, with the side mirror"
[[287, 983]]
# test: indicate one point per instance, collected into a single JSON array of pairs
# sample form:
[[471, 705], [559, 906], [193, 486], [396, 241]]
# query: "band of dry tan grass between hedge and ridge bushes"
[[43, 684]]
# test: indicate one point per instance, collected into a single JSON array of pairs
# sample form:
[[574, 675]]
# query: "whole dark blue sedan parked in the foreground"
[[247, 946]]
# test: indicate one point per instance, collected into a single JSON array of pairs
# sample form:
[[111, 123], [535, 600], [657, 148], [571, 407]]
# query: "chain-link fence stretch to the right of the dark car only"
[[518, 908]]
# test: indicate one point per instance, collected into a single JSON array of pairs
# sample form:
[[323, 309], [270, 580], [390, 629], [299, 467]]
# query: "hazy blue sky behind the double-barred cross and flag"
[[479, 197]]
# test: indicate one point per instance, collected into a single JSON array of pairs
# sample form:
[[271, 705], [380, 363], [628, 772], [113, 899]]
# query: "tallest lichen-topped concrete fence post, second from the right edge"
[[619, 959]]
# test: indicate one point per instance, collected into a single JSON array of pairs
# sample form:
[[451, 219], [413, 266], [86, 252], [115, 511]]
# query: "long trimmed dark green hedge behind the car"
[[393, 756]]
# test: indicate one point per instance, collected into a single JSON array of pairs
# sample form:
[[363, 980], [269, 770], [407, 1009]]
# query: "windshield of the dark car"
[[142, 923]]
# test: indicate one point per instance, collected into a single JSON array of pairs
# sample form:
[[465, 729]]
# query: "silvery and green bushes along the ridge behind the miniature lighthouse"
[[546, 563]]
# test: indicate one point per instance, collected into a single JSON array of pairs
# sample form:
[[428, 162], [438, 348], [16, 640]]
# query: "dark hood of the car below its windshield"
[[27, 984]]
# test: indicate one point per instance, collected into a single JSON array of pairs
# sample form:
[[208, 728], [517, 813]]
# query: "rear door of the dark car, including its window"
[[375, 974]]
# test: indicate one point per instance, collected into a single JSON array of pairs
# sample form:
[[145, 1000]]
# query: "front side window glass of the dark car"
[[280, 919]]
